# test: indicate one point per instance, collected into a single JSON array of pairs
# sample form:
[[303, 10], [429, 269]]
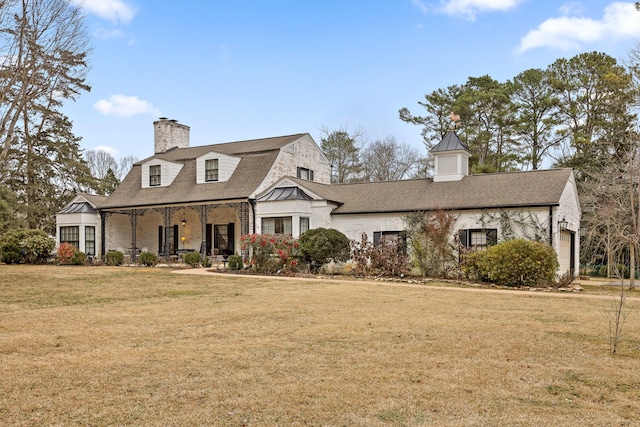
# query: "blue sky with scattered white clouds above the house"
[[245, 69]]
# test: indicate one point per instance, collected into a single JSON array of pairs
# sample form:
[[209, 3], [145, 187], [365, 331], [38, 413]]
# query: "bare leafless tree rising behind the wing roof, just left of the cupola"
[[388, 160]]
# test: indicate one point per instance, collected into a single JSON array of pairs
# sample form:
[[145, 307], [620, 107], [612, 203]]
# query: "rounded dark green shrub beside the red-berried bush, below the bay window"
[[321, 245]]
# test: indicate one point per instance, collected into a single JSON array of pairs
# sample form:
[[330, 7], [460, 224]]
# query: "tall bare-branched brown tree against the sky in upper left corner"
[[43, 50]]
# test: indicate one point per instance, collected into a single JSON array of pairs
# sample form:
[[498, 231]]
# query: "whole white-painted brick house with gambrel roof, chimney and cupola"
[[204, 198]]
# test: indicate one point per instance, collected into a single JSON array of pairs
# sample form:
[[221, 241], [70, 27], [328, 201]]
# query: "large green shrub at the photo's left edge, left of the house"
[[28, 246]]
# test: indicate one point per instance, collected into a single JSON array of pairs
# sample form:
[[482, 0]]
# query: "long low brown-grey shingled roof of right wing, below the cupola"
[[499, 190]]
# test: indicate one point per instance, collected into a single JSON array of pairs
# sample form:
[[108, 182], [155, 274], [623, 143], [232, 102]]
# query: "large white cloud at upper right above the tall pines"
[[620, 21]]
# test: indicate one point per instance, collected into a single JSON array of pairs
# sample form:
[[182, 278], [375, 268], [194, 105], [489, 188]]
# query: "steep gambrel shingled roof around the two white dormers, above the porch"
[[257, 158]]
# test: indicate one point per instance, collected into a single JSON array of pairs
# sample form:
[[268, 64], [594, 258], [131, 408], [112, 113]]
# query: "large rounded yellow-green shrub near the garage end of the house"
[[516, 262]]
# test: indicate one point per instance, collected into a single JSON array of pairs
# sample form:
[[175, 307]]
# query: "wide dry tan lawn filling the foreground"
[[142, 346]]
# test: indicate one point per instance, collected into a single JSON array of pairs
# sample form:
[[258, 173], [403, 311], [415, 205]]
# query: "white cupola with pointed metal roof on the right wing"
[[450, 158]]
